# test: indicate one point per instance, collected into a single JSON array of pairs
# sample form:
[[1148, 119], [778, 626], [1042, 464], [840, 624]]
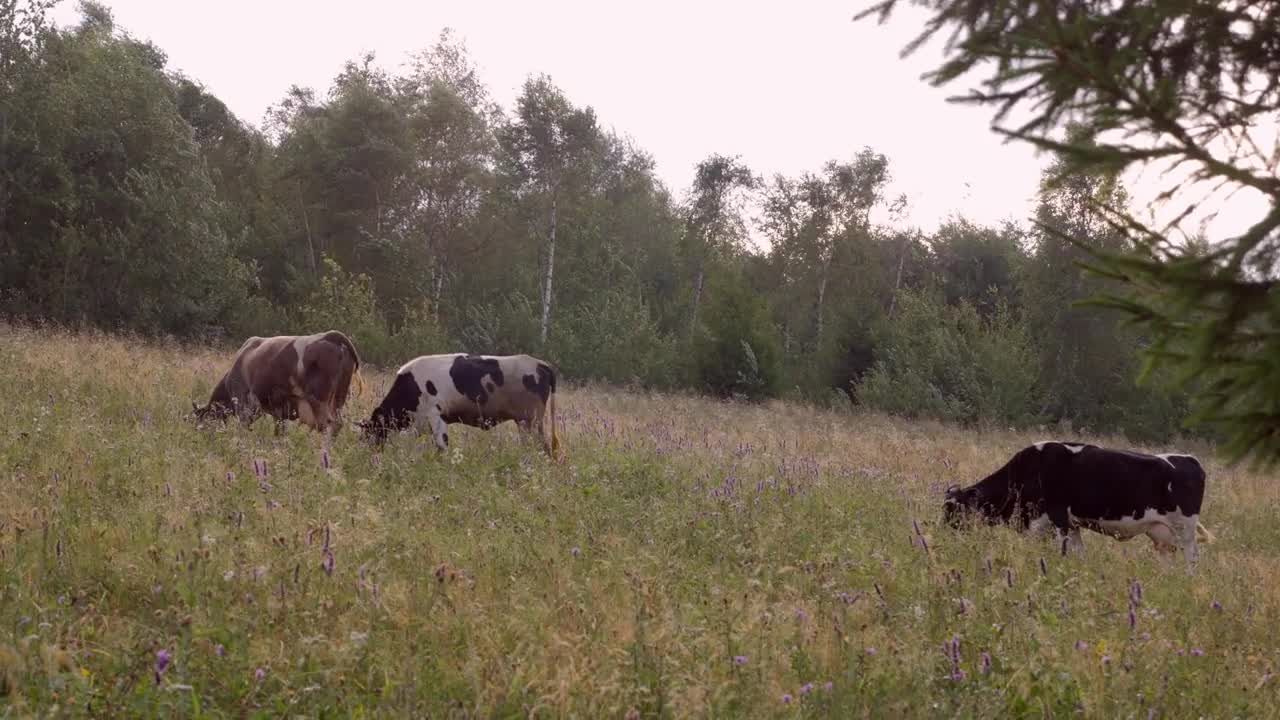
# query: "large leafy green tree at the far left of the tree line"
[[111, 217]]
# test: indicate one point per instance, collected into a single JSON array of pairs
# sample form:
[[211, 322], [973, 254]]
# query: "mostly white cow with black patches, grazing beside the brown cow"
[[482, 391]]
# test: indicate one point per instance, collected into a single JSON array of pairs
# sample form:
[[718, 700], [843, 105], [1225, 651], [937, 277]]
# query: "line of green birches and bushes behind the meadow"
[[417, 215]]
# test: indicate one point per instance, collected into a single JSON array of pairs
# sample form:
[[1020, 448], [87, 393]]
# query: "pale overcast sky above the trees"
[[785, 85]]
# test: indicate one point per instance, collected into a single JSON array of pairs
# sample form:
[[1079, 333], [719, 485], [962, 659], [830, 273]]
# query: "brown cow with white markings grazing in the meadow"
[[291, 377]]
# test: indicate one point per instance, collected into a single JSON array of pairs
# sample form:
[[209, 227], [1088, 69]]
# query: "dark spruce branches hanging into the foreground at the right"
[[1177, 85]]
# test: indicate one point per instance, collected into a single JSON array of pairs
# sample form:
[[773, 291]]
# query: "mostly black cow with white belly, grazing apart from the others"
[[1064, 487]]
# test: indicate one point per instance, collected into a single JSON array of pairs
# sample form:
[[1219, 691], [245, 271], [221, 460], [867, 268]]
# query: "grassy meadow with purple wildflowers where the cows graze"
[[692, 559]]
